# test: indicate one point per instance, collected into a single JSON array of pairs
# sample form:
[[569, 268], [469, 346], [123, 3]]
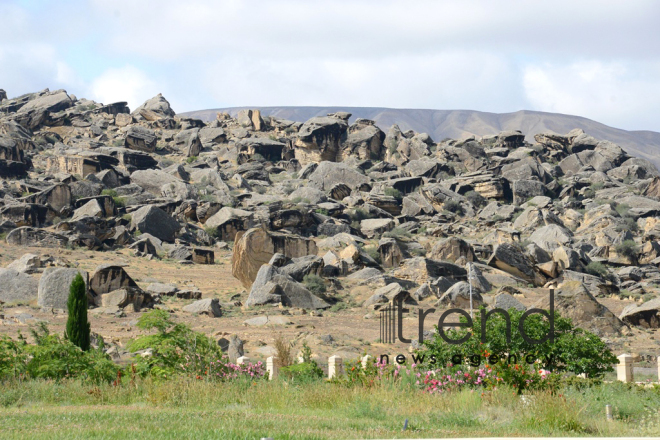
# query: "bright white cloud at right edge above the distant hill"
[[614, 93]]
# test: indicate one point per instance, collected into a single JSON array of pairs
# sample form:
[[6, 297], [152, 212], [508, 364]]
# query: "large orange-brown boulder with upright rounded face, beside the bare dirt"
[[257, 246]]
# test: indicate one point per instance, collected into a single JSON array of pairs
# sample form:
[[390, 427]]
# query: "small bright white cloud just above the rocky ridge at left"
[[126, 83]]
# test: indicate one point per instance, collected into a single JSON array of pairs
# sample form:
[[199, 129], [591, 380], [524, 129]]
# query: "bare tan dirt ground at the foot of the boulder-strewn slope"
[[353, 330]]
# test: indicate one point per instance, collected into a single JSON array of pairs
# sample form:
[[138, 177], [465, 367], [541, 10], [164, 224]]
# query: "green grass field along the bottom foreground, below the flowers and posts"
[[242, 410]]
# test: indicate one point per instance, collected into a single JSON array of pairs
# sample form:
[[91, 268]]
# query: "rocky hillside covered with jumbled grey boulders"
[[312, 210]]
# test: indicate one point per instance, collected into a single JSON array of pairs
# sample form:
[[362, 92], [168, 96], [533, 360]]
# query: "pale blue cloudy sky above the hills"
[[597, 59]]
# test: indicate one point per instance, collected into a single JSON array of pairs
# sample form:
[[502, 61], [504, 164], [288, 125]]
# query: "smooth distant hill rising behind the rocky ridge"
[[457, 124]]
